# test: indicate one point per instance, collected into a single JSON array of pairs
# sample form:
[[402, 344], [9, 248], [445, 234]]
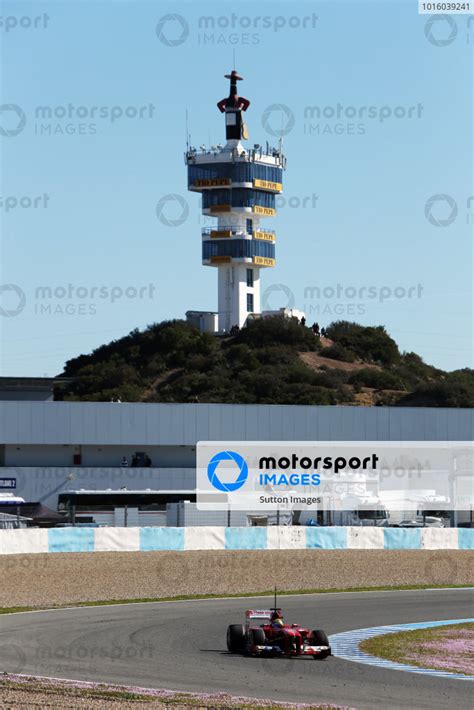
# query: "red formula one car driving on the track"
[[266, 634]]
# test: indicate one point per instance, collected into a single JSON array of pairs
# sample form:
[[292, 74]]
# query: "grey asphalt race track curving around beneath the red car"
[[181, 645]]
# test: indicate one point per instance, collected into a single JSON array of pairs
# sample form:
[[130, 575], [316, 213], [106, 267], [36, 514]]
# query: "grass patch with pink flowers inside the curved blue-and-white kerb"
[[407, 647]]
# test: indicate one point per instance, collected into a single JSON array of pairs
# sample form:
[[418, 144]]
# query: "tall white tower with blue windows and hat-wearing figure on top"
[[238, 187]]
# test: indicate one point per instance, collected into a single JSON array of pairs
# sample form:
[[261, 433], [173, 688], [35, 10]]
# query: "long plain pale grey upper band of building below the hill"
[[186, 424]]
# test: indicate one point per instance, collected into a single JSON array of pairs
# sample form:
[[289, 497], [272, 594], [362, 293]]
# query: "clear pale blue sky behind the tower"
[[79, 194]]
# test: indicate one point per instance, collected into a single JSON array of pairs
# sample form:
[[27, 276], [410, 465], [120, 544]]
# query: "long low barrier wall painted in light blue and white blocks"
[[13, 542]]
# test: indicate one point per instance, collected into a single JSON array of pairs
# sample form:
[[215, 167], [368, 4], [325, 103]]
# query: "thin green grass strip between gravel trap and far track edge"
[[236, 595]]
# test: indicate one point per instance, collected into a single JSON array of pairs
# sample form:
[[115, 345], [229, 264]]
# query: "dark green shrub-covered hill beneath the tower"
[[272, 361]]
